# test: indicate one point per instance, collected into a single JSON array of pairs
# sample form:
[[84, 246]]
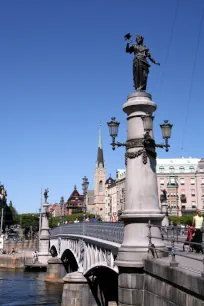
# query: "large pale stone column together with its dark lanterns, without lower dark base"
[[141, 202]]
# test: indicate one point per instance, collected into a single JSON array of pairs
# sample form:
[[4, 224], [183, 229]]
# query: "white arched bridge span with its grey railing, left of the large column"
[[92, 245]]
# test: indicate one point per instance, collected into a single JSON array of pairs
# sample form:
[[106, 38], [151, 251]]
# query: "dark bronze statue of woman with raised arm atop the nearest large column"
[[140, 64]]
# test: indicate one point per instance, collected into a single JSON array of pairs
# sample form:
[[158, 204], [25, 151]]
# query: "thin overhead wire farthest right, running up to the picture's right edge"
[[192, 78]]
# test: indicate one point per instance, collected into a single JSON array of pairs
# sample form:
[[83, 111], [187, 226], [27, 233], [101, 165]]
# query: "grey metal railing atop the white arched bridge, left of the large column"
[[110, 231]]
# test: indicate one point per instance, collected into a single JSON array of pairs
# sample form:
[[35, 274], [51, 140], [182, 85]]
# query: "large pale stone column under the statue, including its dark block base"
[[141, 204]]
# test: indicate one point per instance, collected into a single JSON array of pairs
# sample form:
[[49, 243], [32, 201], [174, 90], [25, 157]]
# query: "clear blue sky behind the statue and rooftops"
[[63, 69]]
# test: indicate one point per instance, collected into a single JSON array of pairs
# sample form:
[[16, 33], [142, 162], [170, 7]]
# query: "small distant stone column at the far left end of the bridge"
[[44, 254]]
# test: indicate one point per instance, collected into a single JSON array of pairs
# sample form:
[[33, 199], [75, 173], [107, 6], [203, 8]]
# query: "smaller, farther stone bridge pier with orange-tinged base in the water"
[[55, 270]]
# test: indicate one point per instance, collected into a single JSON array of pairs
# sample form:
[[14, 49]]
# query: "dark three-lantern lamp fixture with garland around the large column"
[[147, 142]]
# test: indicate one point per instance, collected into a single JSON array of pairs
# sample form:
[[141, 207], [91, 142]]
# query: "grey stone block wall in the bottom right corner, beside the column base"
[[166, 286]]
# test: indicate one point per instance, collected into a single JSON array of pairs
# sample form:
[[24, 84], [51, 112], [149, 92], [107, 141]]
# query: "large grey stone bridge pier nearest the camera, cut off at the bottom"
[[76, 291]]
